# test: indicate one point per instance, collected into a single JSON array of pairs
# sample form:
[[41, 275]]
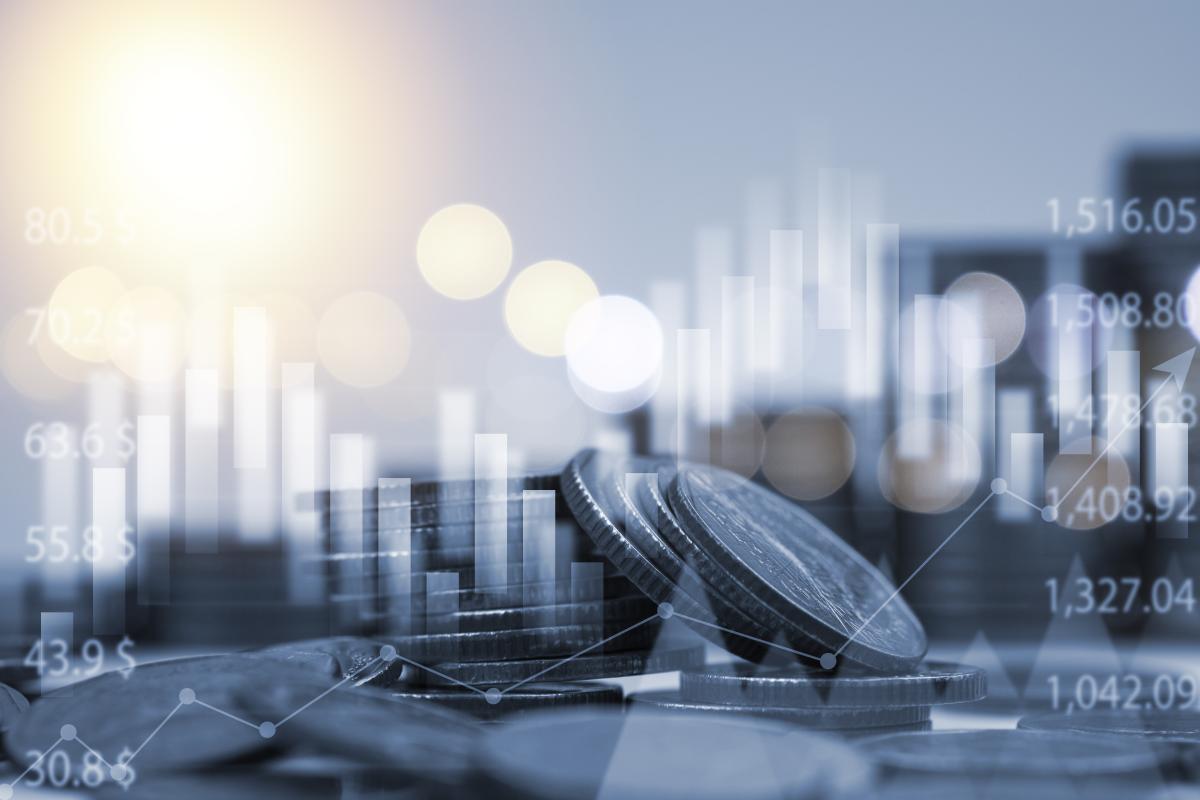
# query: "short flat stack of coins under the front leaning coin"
[[850, 705]]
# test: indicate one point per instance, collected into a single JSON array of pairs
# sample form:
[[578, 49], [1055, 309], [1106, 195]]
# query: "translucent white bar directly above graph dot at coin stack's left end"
[[395, 528]]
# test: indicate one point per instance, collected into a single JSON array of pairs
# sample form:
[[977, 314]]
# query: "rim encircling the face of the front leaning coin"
[[683, 504]]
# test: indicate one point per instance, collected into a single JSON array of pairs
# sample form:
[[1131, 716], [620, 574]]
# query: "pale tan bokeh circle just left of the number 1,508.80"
[[985, 306]]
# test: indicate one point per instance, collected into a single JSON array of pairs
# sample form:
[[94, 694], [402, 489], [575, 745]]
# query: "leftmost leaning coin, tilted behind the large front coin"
[[595, 489]]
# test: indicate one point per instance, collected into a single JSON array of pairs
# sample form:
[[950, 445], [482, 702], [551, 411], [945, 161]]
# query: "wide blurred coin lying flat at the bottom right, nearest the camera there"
[[1011, 754]]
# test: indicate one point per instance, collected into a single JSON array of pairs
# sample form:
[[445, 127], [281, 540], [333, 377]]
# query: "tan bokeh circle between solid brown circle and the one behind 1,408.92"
[[929, 467]]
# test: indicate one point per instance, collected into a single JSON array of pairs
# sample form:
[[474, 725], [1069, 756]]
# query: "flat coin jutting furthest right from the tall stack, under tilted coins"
[[590, 666]]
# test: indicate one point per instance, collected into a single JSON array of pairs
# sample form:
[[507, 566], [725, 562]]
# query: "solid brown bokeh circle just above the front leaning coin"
[[811, 454]]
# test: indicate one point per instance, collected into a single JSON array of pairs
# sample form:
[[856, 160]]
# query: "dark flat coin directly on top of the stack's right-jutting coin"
[[520, 643]]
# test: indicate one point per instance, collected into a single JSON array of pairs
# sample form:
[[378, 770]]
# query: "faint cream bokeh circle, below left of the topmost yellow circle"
[[364, 340]]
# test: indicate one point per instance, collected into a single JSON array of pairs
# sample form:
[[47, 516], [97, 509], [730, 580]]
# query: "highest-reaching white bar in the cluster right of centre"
[[835, 238]]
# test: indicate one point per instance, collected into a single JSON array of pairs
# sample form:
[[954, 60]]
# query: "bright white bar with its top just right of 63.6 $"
[[154, 509]]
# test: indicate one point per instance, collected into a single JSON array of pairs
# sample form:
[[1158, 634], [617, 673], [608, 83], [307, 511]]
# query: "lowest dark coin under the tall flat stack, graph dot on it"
[[530, 697]]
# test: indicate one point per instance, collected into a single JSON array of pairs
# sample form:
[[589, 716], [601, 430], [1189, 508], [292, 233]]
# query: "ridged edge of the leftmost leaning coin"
[[641, 570]]
